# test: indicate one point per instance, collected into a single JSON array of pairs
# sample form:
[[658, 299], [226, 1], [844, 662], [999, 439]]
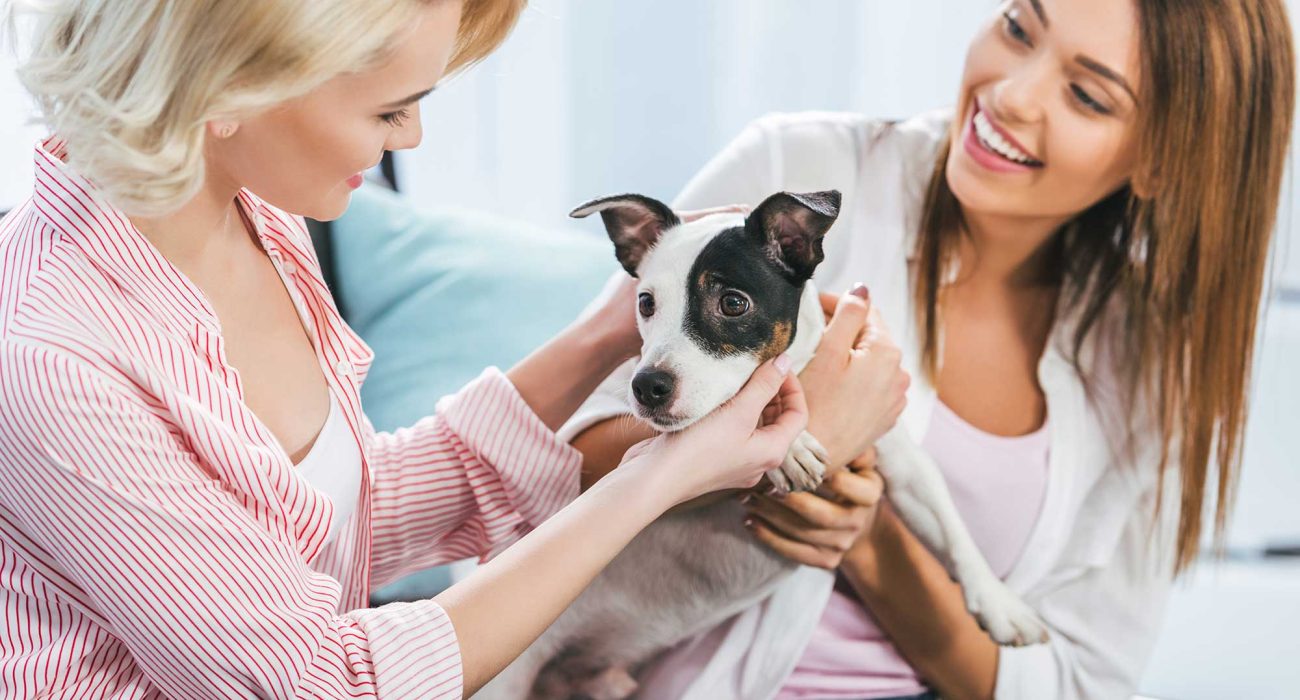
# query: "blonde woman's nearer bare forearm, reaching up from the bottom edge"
[[510, 602]]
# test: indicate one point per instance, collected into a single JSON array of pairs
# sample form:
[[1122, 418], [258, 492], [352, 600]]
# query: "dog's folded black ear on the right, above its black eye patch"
[[791, 227]]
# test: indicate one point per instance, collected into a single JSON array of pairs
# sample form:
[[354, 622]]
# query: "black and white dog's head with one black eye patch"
[[717, 297]]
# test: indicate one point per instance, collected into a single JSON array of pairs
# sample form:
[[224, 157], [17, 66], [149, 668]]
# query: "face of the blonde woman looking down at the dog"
[[307, 155]]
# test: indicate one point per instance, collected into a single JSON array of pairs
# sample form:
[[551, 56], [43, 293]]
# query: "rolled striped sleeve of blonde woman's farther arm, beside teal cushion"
[[465, 482]]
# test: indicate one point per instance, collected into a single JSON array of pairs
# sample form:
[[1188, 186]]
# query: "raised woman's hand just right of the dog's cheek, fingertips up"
[[856, 386]]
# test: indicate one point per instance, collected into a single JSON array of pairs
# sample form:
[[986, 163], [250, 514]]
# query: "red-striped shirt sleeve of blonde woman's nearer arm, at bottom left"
[[206, 593]]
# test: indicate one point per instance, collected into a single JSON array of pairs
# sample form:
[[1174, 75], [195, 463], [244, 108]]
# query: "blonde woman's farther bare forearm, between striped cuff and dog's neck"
[[557, 378]]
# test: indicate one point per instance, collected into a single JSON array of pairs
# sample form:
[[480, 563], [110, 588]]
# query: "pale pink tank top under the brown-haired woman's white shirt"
[[998, 485]]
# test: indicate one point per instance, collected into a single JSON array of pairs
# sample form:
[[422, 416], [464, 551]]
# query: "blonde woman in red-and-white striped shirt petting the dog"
[[192, 502]]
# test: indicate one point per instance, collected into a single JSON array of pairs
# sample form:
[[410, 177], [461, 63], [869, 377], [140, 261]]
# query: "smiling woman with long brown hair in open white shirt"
[[1073, 261]]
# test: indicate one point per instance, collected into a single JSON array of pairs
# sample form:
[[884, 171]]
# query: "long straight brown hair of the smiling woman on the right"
[[1189, 260]]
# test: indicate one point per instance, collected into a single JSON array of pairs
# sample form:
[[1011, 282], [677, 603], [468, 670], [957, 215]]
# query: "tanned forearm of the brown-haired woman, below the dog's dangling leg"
[[922, 611]]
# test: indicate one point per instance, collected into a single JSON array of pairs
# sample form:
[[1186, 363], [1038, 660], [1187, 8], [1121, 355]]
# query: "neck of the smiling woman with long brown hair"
[[1007, 252]]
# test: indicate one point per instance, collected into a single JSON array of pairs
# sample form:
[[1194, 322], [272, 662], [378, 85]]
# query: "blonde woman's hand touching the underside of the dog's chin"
[[734, 446]]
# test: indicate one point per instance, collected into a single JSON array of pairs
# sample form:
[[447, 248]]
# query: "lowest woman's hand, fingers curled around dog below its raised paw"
[[818, 529]]
